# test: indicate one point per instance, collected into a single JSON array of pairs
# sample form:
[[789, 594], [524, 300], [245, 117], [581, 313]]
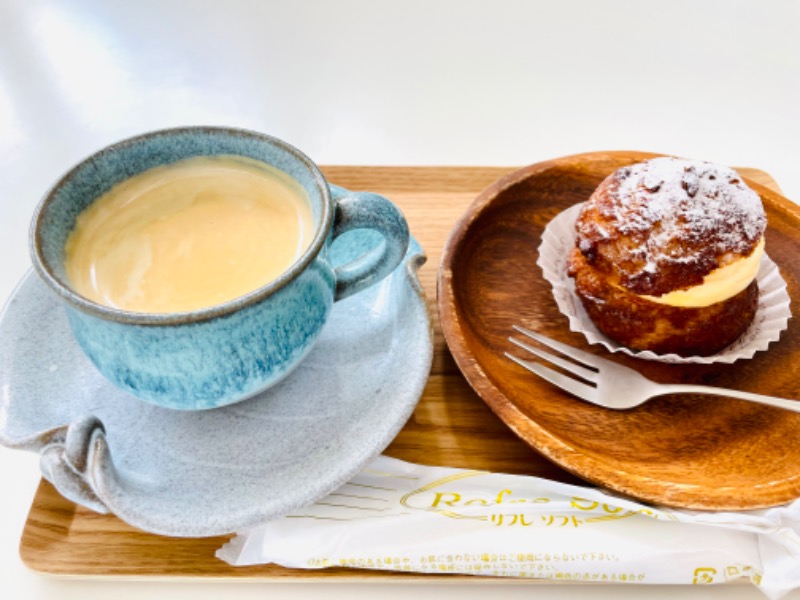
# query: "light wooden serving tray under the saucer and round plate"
[[451, 425]]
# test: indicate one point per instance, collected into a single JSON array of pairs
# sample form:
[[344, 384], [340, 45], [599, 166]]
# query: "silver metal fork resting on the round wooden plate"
[[611, 385]]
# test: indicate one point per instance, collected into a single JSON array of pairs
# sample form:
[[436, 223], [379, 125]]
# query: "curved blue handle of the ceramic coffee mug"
[[365, 210]]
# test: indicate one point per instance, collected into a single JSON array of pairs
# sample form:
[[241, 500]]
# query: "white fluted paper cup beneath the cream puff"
[[772, 315]]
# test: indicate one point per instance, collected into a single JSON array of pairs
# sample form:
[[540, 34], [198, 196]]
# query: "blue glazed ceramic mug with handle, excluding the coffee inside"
[[222, 354]]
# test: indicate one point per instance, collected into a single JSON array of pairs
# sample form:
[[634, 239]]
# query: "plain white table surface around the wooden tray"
[[382, 83]]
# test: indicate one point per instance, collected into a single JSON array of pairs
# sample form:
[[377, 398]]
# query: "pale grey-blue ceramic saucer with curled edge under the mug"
[[196, 474]]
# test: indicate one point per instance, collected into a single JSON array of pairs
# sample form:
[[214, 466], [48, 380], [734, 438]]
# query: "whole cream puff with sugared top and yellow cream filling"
[[667, 254]]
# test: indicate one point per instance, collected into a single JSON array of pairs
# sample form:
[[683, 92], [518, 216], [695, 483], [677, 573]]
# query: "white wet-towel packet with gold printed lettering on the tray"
[[403, 517]]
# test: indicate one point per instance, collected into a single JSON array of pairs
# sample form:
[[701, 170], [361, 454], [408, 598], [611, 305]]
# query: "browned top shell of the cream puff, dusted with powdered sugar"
[[666, 223]]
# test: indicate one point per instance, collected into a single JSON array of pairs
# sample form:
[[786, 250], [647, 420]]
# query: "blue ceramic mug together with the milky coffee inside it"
[[194, 262]]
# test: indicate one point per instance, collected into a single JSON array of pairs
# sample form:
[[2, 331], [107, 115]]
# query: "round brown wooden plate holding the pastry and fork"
[[687, 451]]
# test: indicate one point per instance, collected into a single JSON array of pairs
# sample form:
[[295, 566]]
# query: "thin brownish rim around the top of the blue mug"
[[64, 289]]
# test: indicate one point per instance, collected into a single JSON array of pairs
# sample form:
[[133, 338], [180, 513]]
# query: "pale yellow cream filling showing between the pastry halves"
[[719, 285]]
